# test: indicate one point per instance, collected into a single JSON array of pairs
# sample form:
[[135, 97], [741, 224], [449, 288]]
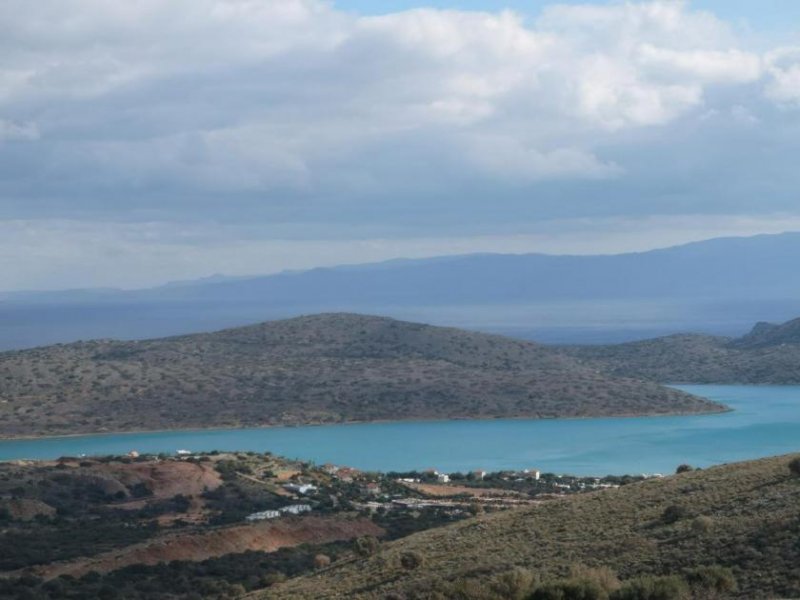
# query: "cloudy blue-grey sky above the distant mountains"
[[149, 141]]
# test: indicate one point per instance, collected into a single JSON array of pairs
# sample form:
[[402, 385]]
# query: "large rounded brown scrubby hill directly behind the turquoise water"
[[324, 368]]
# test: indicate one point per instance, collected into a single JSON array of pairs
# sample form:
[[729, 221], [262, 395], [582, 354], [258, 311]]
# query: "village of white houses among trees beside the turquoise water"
[[302, 487]]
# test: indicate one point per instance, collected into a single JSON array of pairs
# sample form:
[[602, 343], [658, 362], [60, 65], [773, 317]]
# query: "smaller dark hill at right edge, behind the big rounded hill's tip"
[[769, 354]]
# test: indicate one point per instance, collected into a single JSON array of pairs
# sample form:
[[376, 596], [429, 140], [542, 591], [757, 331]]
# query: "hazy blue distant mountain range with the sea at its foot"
[[718, 287]]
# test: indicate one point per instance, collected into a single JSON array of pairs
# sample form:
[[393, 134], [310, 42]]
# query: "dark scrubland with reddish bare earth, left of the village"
[[155, 528]]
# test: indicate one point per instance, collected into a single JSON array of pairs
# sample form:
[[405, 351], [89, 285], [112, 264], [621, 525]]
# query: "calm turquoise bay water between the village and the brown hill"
[[765, 422]]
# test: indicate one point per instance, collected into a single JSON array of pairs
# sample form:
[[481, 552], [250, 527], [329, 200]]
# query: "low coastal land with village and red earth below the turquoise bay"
[[277, 517]]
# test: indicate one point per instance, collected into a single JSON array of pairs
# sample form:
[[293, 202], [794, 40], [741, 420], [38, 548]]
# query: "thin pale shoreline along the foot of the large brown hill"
[[724, 409]]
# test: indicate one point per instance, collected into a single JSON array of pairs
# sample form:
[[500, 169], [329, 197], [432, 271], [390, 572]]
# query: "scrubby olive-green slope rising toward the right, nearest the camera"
[[742, 517]]
